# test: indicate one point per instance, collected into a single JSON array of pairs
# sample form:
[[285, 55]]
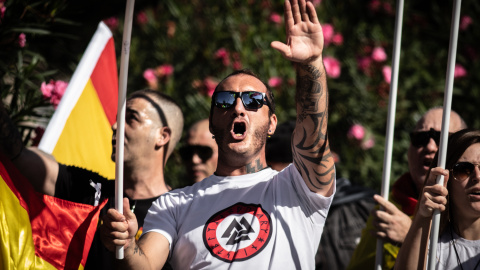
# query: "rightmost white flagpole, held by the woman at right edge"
[[447, 104]]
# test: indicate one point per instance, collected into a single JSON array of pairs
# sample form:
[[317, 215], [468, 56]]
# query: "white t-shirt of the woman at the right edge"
[[468, 252]]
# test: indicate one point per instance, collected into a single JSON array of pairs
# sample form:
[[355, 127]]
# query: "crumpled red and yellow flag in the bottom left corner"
[[39, 231]]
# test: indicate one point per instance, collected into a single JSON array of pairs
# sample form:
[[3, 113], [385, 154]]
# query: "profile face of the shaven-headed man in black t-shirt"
[[141, 125]]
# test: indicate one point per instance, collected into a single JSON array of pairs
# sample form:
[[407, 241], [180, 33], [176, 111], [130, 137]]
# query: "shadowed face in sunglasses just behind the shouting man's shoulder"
[[198, 167]]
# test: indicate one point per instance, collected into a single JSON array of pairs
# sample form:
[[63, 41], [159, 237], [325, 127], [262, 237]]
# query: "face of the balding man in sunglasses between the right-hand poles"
[[420, 159]]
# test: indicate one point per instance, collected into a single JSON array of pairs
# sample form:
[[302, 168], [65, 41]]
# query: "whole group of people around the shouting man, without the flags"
[[260, 194]]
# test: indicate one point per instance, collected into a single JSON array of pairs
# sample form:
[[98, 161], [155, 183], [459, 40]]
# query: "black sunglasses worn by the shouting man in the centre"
[[252, 100]]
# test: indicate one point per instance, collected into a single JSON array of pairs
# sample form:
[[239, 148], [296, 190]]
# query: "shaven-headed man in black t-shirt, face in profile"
[[153, 126]]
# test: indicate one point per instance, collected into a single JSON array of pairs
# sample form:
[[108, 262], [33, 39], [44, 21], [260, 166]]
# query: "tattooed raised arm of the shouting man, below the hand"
[[313, 147]]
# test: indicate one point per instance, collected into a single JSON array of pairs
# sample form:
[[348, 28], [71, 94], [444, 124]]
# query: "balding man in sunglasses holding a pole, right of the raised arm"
[[392, 223]]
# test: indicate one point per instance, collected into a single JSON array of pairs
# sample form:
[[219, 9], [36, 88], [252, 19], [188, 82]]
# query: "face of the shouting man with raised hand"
[[239, 131]]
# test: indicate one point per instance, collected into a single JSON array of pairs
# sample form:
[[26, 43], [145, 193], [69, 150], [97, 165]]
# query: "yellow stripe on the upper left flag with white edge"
[[80, 136]]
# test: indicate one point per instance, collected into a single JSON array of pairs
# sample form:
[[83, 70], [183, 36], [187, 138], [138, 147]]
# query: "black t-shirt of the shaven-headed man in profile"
[[73, 184]]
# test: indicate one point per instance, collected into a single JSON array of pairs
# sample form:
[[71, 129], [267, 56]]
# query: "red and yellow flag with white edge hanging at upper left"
[[79, 132]]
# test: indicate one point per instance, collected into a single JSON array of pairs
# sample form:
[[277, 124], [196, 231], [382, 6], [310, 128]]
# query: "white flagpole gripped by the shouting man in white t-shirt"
[[122, 95]]
